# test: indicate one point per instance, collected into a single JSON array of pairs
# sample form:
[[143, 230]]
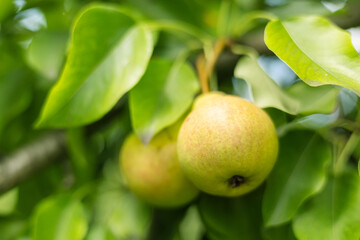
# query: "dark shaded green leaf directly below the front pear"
[[230, 218]]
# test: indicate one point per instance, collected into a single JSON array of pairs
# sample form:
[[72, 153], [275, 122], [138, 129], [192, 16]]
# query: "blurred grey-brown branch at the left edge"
[[30, 159]]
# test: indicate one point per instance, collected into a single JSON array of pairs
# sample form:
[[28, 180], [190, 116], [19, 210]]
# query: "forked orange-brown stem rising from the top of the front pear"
[[205, 68]]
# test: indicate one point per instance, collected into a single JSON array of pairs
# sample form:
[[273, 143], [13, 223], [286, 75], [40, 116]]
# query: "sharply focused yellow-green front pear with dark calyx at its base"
[[227, 145]]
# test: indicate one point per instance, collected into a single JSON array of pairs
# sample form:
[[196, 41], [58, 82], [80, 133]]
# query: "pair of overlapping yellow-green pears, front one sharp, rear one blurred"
[[226, 146]]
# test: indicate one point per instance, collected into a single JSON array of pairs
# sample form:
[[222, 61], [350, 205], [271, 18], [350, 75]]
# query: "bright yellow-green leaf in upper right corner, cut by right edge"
[[318, 51]]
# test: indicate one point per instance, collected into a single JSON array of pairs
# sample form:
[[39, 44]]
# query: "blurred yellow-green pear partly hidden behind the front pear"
[[153, 171]]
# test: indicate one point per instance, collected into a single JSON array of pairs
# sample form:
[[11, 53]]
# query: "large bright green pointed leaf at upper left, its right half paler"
[[108, 56]]
